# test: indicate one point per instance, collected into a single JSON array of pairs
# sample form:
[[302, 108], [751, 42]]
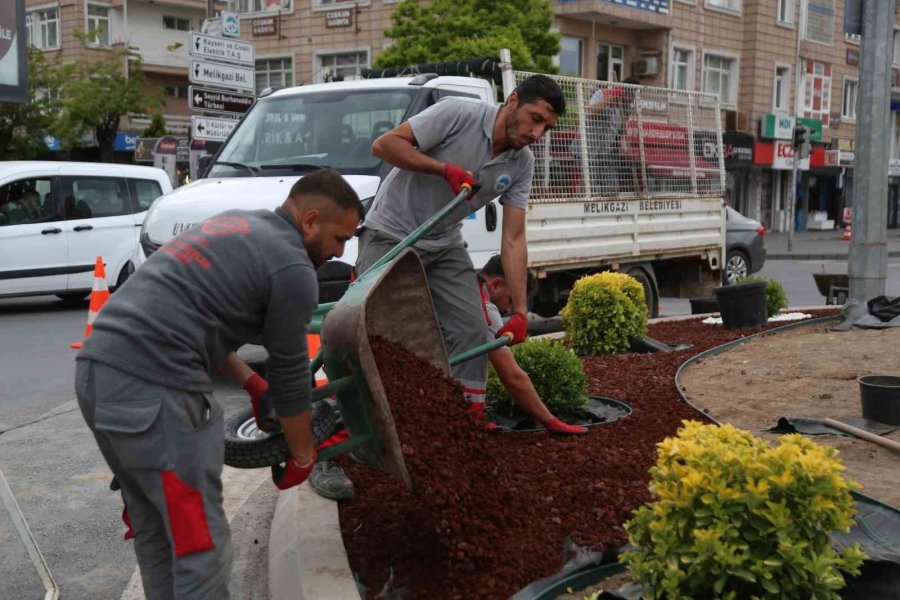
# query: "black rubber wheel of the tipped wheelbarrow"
[[246, 447]]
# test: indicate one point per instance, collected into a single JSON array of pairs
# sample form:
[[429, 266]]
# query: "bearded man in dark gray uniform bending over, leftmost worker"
[[144, 377]]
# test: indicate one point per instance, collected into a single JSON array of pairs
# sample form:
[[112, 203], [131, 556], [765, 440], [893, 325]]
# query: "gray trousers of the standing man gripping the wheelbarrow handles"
[[457, 301]]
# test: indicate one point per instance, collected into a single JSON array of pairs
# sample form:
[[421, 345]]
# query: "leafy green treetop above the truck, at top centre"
[[462, 29]]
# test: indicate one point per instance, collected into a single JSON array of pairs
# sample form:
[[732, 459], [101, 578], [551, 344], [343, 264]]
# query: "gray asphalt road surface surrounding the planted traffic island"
[[60, 481]]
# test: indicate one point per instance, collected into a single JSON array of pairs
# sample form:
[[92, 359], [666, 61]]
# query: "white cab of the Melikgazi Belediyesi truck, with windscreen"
[[292, 132]]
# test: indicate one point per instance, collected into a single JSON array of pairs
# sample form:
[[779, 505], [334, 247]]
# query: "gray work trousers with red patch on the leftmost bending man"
[[166, 448]]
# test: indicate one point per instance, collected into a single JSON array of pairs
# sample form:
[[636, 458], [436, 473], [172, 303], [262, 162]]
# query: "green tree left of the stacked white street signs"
[[98, 93]]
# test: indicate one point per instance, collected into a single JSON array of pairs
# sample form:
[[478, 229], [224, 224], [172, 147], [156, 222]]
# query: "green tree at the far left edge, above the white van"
[[23, 127]]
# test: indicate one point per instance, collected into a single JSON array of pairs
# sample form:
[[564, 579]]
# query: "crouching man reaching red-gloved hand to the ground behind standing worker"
[[496, 299]]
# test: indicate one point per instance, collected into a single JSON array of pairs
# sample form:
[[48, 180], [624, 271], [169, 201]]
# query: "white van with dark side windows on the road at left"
[[57, 217]]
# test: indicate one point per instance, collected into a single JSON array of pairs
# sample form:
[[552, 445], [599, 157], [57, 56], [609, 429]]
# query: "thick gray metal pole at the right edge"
[[867, 264]]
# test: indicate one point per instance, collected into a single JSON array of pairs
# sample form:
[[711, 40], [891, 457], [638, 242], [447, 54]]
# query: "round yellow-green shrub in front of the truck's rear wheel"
[[605, 312]]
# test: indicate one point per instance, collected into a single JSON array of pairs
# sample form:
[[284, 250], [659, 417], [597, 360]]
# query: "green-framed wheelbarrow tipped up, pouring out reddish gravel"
[[390, 300]]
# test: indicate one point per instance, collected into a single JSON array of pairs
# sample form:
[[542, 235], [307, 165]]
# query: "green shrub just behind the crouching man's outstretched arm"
[[555, 372]]
